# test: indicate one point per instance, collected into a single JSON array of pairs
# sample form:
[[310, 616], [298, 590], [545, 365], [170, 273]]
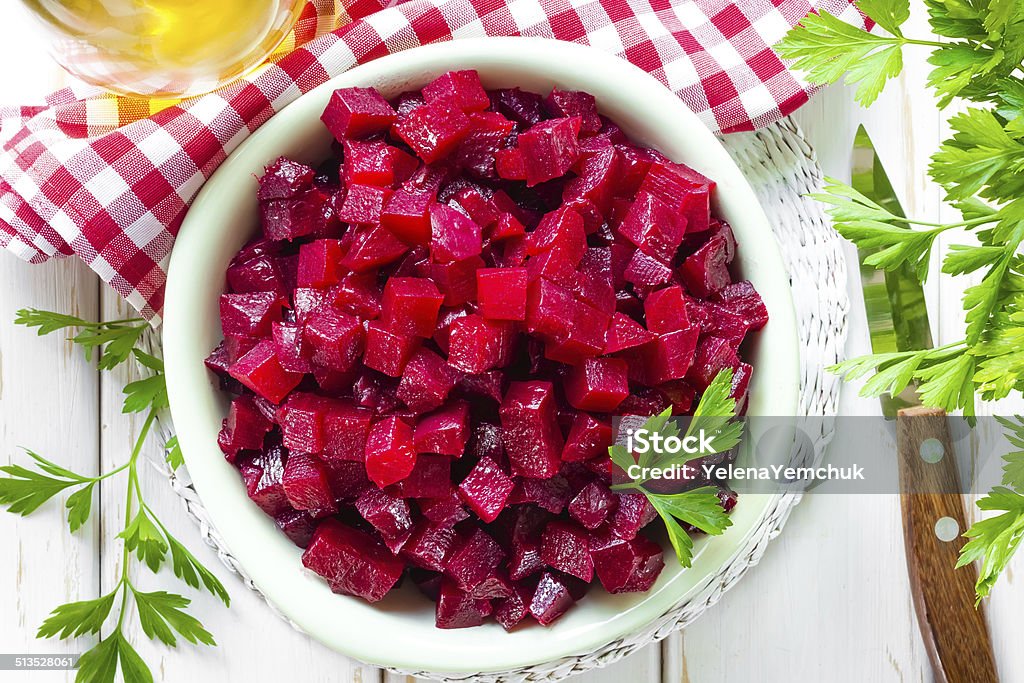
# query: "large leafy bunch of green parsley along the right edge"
[[978, 60]]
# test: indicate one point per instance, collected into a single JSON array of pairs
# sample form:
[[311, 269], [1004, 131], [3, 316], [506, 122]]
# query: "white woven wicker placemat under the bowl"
[[782, 168]]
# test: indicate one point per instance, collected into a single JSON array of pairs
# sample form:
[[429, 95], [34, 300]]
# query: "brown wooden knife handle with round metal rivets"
[[954, 629]]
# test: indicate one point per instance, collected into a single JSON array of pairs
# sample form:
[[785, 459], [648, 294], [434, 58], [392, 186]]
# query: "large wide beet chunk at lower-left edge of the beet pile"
[[353, 562]]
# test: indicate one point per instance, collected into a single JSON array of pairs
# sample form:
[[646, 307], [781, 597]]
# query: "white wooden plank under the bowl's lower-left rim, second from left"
[[243, 632]]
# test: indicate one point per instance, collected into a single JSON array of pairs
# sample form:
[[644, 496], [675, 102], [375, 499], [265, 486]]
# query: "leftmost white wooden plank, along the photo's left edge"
[[48, 400]]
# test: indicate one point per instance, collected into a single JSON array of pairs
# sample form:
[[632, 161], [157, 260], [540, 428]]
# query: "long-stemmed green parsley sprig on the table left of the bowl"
[[162, 615]]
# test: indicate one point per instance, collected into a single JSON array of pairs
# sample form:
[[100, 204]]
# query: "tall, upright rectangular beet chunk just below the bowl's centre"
[[531, 433]]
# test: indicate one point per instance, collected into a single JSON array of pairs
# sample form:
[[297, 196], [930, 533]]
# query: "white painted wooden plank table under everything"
[[830, 603]]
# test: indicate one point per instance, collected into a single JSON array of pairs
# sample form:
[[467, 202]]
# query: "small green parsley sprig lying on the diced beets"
[[701, 507]]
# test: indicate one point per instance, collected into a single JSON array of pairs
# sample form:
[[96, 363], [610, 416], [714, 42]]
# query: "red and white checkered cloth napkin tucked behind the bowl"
[[110, 180]]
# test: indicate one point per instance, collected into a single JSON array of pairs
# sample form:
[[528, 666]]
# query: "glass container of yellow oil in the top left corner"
[[164, 49]]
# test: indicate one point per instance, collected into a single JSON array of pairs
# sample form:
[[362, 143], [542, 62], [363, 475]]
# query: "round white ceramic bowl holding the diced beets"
[[400, 632]]
